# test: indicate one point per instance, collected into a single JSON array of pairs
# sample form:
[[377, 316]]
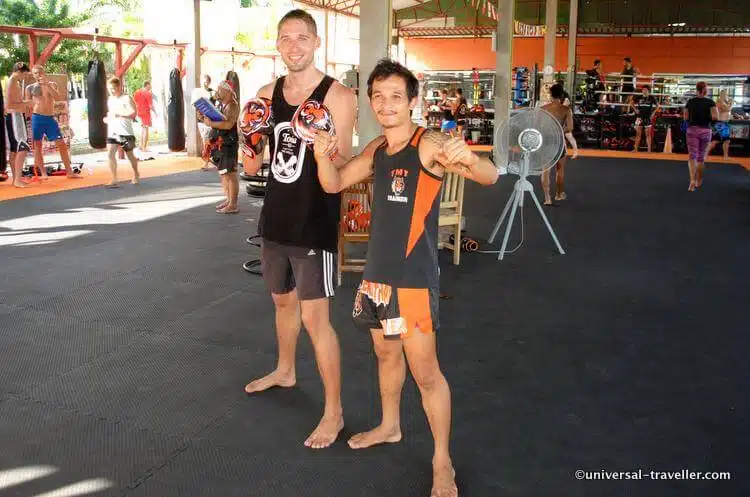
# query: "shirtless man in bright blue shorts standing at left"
[[42, 95]]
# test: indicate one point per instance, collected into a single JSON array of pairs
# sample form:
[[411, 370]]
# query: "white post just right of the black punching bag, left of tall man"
[[192, 80]]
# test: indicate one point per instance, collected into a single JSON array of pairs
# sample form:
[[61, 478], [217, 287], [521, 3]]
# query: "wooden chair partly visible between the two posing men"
[[362, 193]]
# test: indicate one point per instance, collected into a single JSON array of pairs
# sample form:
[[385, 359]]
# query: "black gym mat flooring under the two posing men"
[[125, 349]]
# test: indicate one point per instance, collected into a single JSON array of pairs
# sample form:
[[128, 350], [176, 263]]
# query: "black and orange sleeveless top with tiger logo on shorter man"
[[402, 251]]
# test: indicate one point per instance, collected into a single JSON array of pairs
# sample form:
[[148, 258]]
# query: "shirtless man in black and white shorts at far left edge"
[[16, 119]]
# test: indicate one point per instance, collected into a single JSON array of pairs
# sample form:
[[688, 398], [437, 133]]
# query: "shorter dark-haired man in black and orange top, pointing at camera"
[[398, 298]]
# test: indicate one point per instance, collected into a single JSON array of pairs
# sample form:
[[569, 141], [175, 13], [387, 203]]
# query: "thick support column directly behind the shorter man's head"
[[374, 42]]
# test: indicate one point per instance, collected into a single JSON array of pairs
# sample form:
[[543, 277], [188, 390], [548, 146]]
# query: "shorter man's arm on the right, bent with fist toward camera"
[[454, 155]]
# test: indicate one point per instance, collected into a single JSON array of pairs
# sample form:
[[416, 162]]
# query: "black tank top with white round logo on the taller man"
[[296, 210]]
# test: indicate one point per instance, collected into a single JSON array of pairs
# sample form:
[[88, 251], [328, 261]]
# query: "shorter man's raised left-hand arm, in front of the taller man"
[[334, 179]]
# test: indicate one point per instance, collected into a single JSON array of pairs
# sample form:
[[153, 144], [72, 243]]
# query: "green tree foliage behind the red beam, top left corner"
[[70, 56]]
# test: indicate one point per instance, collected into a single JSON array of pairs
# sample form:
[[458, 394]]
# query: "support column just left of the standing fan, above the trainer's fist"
[[503, 69]]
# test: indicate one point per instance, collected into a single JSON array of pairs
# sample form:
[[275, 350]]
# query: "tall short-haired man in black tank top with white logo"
[[299, 221]]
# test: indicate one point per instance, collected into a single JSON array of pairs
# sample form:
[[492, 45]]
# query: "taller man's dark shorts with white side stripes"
[[308, 270]]
